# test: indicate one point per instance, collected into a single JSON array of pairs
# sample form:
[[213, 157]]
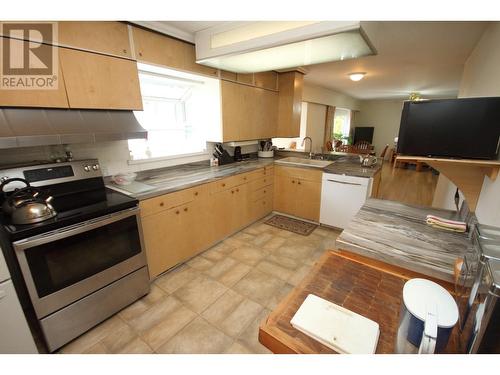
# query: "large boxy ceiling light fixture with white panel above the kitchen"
[[251, 47]]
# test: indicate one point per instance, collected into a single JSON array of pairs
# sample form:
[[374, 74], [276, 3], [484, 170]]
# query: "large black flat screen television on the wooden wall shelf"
[[457, 128]]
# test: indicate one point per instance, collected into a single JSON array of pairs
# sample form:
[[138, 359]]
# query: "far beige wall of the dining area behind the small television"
[[384, 116]]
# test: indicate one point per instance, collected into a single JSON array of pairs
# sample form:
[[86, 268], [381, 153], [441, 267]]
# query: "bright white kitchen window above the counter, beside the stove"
[[179, 112]]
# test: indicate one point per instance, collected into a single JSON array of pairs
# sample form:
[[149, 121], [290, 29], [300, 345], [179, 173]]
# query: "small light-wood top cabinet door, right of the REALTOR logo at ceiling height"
[[99, 36]]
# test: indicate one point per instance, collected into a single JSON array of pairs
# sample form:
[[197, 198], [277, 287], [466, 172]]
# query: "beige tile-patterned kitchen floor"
[[215, 302]]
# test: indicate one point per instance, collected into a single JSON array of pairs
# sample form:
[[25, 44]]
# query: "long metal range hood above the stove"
[[24, 127]]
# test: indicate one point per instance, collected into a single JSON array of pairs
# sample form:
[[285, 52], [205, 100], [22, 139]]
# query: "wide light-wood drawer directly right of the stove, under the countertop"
[[167, 201]]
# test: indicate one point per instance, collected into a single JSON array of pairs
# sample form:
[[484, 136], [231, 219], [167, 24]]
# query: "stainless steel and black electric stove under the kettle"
[[87, 262]]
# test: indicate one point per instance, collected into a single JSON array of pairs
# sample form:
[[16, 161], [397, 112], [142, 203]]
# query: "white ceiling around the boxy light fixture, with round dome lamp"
[[424, 57]]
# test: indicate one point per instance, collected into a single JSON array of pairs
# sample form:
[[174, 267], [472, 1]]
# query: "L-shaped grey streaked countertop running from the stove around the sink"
[[171, 179]]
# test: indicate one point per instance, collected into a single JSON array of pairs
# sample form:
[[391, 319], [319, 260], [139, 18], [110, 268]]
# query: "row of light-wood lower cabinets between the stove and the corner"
[[179, 225]]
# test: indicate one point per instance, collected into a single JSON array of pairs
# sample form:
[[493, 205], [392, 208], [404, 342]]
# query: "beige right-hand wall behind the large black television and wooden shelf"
[[481, 77]]
